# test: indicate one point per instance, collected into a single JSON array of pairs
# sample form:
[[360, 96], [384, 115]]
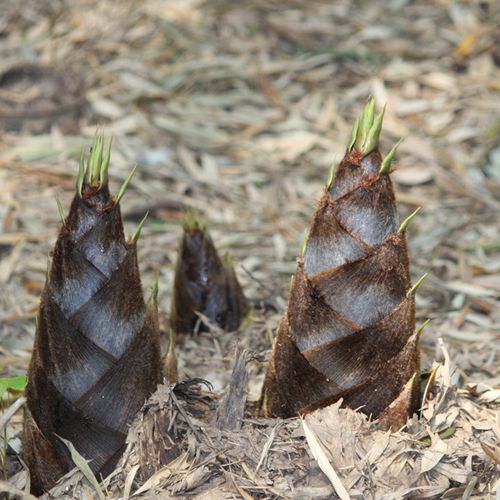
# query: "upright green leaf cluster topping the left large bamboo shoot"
[[94, 171]]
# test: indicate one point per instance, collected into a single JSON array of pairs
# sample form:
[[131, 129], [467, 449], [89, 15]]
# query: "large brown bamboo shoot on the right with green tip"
[[349, 331]]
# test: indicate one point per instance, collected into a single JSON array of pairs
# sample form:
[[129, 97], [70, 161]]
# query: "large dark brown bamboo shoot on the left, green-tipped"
[[96, 356]]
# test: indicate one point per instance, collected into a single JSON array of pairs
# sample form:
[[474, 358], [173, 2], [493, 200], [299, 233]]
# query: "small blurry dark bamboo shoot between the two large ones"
[[204, 283]]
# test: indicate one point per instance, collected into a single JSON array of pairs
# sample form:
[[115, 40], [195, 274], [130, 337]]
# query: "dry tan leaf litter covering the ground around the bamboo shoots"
[[238, 110]]
